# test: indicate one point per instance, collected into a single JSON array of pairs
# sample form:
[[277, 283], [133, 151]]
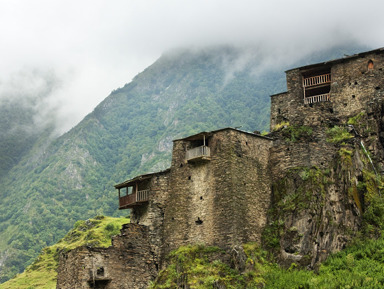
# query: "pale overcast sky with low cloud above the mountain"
[[75, 52]]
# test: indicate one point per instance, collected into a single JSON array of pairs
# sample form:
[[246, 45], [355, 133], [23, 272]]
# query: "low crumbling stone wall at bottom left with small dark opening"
[[128, 263]]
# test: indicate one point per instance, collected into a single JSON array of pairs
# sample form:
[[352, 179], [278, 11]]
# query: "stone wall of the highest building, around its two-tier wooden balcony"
[[353, 87]]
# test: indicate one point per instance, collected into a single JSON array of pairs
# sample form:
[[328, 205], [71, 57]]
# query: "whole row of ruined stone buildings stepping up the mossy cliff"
[[299, 191]]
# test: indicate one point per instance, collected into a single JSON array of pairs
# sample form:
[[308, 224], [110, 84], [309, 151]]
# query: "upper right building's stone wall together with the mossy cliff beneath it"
[[315, 192]]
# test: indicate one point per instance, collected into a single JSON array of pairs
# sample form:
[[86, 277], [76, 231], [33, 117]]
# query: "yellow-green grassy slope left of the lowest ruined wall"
[[42, 273]]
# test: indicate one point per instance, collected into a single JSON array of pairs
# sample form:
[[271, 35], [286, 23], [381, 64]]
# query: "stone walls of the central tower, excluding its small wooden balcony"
[[222, 201]]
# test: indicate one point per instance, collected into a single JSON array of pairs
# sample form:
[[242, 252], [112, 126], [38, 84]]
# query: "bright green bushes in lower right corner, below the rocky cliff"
[[361, 265]]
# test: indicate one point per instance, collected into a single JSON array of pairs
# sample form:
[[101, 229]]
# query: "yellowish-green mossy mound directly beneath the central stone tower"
[[198, 266]]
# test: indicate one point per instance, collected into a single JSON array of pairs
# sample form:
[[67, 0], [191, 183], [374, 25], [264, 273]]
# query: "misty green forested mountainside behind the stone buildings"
[[186, 91]]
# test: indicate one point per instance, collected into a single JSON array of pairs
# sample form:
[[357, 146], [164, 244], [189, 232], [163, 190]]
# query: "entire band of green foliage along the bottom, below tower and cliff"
[[361, 265]]
